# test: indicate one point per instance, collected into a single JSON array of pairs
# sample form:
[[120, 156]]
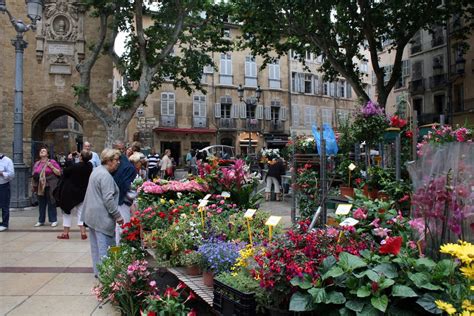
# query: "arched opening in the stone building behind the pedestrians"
[[59, 127]]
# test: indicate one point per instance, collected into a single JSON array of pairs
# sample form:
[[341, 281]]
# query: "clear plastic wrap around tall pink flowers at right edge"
[[443, 183]]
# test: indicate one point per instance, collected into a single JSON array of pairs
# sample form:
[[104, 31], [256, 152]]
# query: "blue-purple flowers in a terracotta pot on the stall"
[[218, 256]]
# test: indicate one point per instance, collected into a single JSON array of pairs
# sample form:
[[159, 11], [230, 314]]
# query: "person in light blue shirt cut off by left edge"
[[7, 173]]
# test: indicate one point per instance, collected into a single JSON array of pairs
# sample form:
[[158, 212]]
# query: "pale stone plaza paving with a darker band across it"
[[42, 275]]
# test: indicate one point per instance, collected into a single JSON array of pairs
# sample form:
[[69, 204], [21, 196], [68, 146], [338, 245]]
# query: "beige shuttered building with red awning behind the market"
[[291, 99]]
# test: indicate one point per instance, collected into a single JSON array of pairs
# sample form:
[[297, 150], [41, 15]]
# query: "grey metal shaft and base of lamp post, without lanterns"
[[19, 183]]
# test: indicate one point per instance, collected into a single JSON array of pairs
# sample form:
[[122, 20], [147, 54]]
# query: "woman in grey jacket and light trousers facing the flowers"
[[100, 209]]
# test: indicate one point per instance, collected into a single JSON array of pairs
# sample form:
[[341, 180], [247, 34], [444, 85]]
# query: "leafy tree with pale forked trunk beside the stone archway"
[[175, 44]]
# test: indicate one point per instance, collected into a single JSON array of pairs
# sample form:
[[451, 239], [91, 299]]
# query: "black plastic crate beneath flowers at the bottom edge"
[[229, 302]]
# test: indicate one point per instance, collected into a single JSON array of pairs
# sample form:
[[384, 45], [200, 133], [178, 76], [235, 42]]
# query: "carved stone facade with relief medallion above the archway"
[[49, 74]]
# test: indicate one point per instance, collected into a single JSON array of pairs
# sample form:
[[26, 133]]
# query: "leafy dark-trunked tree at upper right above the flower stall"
[[340, 31]]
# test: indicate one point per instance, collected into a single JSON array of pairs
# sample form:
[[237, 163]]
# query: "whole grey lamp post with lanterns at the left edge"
[[20, 184]]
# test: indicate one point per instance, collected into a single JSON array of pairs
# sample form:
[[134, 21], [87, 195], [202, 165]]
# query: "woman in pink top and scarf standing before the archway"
[[46, 174]]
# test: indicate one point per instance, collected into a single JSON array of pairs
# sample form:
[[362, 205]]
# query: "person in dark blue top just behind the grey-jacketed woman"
[[123, 177]]
